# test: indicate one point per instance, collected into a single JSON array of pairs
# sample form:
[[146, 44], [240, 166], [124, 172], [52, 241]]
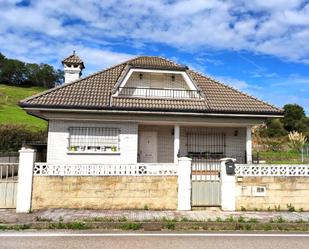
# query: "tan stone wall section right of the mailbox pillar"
[[280, 192]]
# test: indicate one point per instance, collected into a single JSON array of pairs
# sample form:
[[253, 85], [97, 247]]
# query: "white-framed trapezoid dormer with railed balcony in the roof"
[[146, 83]]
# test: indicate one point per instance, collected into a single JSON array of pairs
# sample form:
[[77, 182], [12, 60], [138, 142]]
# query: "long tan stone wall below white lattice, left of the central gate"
[[104, 192]]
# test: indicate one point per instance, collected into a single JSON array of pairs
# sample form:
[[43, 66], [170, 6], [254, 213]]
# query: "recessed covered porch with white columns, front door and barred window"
[[165, 143]]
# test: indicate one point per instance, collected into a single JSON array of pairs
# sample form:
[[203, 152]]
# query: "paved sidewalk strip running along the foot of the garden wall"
[[68, 215]]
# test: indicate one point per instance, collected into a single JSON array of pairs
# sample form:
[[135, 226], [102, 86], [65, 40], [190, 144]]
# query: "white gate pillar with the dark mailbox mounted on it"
[[228, 188]]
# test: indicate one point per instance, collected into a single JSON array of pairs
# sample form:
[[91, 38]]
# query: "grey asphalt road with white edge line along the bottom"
[[42, 240]]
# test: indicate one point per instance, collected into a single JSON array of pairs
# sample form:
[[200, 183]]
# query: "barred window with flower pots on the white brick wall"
[[94, 139]]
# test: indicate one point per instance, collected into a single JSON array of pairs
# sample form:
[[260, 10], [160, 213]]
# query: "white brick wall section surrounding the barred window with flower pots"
[[58, 136]]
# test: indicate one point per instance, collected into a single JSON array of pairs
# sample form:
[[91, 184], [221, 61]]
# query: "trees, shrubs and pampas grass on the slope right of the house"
[[283, 140]]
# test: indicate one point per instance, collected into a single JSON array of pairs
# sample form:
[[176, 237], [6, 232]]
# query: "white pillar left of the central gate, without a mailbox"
[[184, 183]]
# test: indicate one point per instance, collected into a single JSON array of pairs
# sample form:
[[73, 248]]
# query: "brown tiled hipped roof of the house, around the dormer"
[[94, 92]]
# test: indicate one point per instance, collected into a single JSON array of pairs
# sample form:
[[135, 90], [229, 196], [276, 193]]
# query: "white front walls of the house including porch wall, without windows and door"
[[169, 139]]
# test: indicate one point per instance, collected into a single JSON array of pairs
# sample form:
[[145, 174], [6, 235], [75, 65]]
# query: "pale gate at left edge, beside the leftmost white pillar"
[[8, 184]]
